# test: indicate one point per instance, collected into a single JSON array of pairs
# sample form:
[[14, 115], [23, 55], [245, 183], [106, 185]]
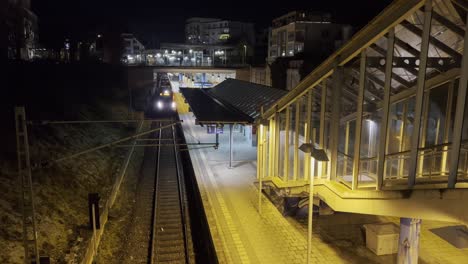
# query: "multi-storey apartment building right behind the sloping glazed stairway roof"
[[299, 41]]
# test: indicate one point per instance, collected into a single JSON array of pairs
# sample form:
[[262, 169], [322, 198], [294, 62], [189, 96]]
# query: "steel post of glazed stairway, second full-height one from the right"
[[421, 82]]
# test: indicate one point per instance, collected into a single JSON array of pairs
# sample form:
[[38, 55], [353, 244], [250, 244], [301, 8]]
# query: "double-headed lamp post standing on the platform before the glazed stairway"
[[321, 156]]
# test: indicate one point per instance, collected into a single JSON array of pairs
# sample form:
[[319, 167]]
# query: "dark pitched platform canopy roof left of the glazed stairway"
[[232, 101]]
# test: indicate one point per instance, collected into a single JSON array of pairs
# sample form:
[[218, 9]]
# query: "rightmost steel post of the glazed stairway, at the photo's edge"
[[459, 116]]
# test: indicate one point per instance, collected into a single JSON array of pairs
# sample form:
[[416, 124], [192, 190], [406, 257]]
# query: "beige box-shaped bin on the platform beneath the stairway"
[[382, 239]]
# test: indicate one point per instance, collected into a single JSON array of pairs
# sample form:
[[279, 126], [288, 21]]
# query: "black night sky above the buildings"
[[158, 21]]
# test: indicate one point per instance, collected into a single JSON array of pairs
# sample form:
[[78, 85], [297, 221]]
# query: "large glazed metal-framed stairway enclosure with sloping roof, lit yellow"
[[376, 115]]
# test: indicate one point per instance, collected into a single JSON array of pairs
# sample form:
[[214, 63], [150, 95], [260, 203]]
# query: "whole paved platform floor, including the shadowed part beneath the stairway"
[[241, 235]]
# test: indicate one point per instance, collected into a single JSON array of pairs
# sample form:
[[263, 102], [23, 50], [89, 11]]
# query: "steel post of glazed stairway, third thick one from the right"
[[386, 109]]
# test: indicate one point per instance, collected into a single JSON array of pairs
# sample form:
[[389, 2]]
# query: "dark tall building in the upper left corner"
[[19, 30]]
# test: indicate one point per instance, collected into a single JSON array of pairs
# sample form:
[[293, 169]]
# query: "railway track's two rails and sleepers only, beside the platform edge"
[[169, 240]]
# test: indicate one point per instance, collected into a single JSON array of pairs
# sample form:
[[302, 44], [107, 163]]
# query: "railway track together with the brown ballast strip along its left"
[[160, 229]]
